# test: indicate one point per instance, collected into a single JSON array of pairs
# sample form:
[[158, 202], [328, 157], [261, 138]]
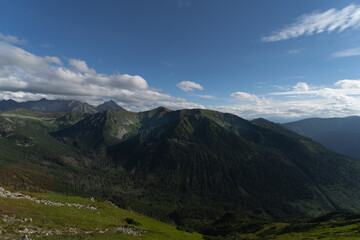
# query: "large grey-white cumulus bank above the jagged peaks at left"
[[25, 76]]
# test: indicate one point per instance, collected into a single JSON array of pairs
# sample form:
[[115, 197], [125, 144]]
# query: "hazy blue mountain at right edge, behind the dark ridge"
[[341, 135]]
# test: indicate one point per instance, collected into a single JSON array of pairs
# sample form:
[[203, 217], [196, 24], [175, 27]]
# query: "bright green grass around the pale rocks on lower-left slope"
[[62, 218]]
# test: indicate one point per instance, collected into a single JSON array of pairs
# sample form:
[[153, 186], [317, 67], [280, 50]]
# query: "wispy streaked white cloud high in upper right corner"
[[319, 22]]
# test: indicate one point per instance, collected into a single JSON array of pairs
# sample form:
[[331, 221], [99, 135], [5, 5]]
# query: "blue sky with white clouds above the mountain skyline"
[[281, 60]]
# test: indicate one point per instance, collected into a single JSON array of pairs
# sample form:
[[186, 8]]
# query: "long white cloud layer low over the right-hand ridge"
[[299, 101]]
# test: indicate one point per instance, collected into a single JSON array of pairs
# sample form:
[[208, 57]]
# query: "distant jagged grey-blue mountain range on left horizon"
[[49, 106]]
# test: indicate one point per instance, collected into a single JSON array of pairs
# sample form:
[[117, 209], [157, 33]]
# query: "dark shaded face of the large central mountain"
[[195, 156]]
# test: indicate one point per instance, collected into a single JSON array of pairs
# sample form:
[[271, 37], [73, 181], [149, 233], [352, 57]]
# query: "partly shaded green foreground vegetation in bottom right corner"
[[331, 226]]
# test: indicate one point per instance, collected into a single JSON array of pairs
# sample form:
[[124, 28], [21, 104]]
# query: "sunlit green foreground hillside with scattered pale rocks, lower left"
[[104, 221]]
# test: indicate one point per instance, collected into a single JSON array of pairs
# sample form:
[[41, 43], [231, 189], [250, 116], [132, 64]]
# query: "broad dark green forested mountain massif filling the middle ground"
[[188, 167]]
